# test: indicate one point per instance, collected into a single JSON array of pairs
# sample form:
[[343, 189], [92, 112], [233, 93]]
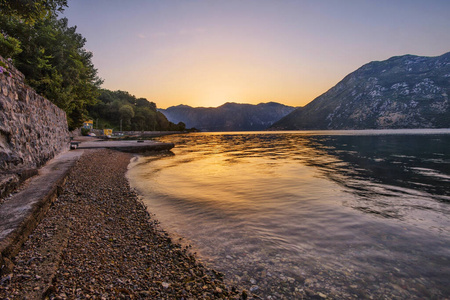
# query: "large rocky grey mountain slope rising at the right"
[[401, 92]]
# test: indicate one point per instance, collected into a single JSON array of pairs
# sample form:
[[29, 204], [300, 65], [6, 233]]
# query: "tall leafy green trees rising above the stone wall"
[[50, 54]]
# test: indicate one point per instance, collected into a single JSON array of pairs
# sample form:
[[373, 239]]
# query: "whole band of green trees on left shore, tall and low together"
[[52, 57]]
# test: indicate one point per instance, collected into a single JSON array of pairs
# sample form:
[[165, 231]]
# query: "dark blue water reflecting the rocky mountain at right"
[[413, 162]]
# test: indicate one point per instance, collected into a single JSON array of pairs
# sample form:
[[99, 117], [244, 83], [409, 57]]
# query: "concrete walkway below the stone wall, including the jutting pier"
[[20, 213]]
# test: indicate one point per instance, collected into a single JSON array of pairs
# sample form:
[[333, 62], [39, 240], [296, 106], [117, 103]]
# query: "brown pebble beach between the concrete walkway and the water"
[[98, 241]]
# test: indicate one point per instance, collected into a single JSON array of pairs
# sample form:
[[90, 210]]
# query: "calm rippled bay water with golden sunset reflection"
[[355, 214]]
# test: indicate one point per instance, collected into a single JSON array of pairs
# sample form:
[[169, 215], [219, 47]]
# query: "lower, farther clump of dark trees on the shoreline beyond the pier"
[[116, 108]]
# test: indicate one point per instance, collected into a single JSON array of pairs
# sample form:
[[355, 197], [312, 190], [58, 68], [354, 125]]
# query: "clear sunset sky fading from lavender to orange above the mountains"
[[204, 53]]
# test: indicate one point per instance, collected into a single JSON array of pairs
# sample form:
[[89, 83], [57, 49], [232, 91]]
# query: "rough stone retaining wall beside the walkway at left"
[[32, 129]]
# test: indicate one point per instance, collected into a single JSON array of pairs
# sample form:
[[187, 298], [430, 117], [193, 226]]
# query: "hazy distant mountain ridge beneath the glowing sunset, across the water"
[[228, 117]]
